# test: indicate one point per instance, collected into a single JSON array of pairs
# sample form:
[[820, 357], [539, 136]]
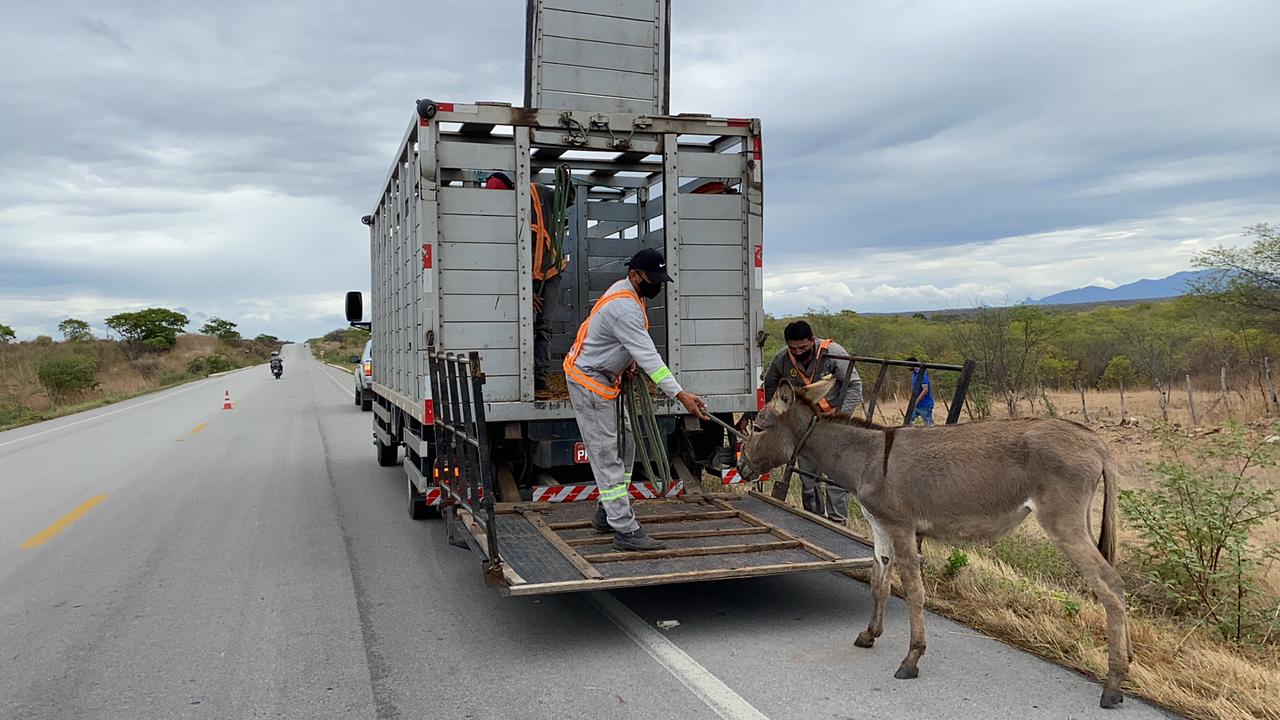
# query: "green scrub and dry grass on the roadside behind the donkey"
[[1185, 393]]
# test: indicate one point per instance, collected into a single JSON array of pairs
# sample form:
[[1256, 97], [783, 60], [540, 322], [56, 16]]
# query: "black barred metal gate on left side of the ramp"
[[463, 458]]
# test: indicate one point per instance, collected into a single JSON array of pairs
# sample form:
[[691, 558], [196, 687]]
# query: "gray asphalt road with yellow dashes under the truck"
[[166, 558]]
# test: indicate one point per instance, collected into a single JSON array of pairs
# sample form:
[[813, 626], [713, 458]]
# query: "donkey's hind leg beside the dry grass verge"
[[1071, 532]]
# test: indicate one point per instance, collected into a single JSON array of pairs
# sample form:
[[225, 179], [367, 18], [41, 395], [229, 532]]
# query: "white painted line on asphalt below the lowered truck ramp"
[[711, 690]]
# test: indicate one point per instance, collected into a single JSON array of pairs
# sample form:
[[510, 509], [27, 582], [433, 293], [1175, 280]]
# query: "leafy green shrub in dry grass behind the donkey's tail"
[[1196, 528]]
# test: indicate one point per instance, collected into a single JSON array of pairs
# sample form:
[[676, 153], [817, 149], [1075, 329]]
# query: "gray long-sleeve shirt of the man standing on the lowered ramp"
[[619, 335]]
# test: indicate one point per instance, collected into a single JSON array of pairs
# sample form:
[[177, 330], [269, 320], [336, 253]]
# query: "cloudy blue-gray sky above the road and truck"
[[217, 157]]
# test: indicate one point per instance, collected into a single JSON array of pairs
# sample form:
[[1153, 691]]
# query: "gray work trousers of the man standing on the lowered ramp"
[[598, 423]]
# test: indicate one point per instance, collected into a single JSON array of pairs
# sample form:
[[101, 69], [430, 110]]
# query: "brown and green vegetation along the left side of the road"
[[47, 379]]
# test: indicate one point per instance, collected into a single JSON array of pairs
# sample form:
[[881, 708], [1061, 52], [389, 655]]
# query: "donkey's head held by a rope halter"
[[779, 427]]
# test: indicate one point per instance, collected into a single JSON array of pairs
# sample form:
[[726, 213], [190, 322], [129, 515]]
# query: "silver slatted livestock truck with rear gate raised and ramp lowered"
[[452, 315]]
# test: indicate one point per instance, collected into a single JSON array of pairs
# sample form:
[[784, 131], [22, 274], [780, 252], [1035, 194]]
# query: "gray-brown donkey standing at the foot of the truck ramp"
[[970, 482]]
